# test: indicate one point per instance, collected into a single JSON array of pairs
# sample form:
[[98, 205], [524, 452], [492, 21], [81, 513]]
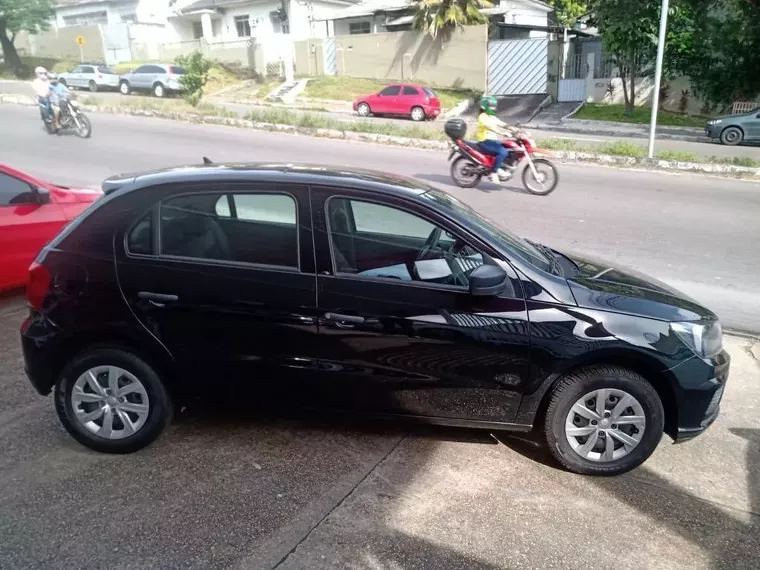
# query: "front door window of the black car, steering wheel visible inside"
[[387, 242]]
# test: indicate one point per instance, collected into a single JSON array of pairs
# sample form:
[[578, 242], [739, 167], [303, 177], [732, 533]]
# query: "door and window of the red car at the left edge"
[[27, 223]]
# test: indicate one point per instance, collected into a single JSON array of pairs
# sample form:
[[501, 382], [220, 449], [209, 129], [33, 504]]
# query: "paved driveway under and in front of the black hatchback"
[[230, 491]]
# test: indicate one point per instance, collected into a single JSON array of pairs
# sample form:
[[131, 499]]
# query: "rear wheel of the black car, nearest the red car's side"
[[153, 391]]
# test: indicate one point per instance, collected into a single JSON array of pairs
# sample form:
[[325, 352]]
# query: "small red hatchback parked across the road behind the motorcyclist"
[[415, 101]]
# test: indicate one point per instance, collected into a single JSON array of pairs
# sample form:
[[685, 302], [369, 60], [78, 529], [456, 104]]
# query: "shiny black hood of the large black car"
[[611, 287]]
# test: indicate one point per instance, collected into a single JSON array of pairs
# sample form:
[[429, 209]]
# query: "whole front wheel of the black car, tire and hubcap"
[[603, 420]]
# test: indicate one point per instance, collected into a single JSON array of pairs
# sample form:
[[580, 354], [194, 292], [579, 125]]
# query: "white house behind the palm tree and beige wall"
[[529, 17]]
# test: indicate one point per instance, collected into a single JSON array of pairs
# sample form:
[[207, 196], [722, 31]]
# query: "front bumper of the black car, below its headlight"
[[703, 383]]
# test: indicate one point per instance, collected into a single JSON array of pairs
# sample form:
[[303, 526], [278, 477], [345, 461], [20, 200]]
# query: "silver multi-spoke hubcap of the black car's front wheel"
[[605, 425]]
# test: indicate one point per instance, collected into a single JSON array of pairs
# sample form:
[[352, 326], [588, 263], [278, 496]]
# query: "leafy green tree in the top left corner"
[[21, 15]]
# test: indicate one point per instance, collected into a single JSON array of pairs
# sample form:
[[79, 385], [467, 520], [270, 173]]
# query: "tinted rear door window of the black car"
[[247, 228]]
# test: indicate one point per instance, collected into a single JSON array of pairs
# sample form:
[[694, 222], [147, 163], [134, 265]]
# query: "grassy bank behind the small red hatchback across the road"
[[349, 88]]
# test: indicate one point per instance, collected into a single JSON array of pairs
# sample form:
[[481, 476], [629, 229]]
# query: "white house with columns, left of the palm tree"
[[230, 20]]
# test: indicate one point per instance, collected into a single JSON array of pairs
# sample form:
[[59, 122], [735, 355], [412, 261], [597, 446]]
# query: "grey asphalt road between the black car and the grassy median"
[[696, 232]]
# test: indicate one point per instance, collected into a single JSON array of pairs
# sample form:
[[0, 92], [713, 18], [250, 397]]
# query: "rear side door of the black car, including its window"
[[223, 276]]
